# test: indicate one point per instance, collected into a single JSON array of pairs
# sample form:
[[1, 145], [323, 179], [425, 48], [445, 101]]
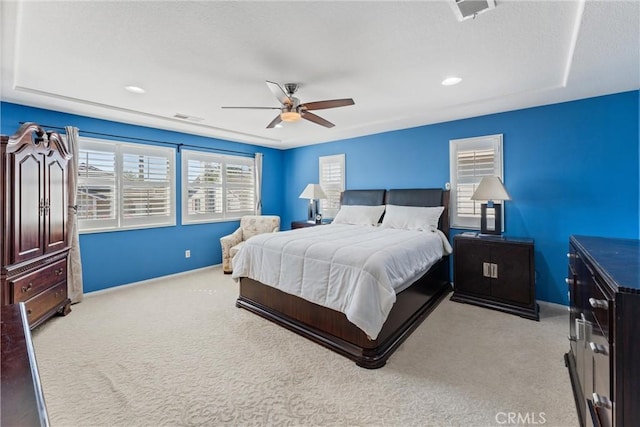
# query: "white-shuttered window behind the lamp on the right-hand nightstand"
[[471, 159]]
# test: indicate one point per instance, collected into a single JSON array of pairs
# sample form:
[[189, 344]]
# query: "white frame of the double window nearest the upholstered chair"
[[188, 219]]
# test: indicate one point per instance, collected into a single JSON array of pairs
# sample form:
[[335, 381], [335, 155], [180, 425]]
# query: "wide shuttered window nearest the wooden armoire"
[[124, 186]]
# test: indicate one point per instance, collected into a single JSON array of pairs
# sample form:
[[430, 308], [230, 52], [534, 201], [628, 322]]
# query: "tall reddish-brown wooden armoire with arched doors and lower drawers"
[[33, 215]]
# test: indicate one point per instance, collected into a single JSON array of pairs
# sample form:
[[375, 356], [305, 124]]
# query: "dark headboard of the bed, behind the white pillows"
[[423, 197]]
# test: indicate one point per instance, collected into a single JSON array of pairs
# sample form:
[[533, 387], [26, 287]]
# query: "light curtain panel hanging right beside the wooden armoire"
[[74, 264]]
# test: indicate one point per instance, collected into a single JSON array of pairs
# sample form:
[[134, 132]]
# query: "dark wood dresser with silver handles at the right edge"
[[604, 330]]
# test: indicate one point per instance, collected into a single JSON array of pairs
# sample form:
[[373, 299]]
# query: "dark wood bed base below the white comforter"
[[331, 328]]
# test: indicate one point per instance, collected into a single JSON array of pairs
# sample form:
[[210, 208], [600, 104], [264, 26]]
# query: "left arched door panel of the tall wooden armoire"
[[28, 206]]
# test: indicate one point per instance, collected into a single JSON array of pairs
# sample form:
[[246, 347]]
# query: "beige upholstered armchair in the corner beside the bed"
[[250, 225]]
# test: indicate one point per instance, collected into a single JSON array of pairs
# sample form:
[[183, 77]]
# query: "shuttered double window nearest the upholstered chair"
[[216, 187]]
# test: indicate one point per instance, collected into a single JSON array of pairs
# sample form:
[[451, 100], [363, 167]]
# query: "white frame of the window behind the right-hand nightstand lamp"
[[471, 144]]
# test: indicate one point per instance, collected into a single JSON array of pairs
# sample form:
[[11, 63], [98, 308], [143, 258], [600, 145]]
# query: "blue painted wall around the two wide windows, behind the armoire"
[[115, 258]]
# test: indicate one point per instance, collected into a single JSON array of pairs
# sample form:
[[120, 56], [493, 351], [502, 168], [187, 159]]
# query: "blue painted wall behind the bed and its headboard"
[[570, 168]]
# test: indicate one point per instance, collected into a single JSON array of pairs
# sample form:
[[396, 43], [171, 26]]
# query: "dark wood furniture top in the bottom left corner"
[[22, 399]]
